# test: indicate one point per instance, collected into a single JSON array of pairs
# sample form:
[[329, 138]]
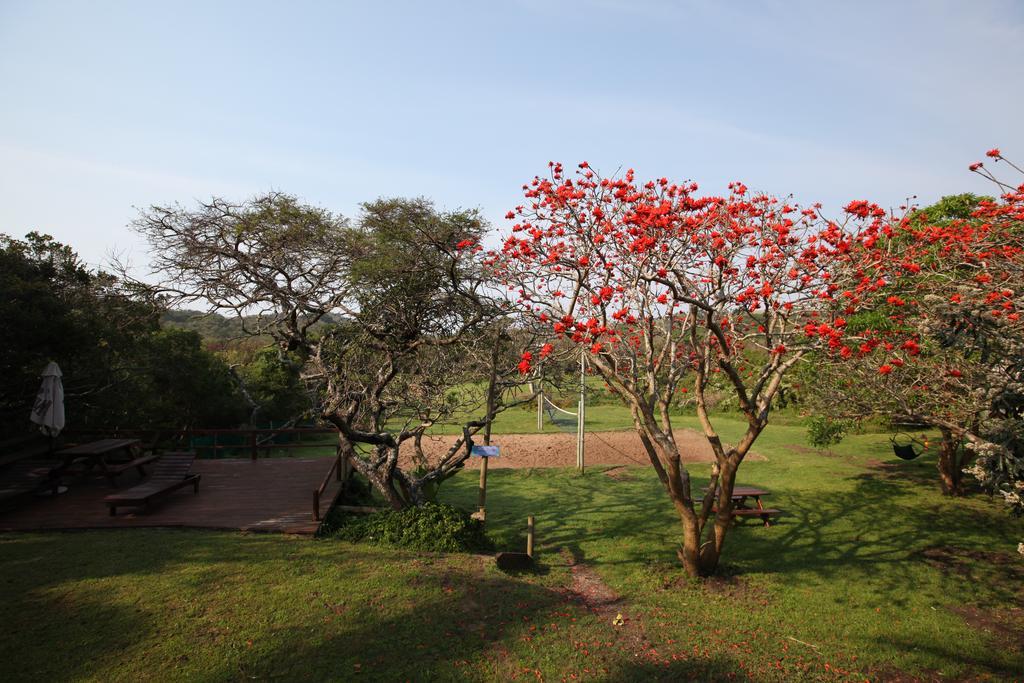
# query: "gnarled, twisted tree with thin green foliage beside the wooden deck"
[[416, 345]]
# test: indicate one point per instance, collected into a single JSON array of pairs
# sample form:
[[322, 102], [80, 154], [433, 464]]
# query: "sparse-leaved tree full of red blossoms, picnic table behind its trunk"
[[668, 293]]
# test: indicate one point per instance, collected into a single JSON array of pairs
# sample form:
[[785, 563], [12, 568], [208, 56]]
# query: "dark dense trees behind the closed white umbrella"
[[120, 370]]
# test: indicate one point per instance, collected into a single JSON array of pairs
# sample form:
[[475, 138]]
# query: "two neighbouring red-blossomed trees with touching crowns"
[[915, 317]]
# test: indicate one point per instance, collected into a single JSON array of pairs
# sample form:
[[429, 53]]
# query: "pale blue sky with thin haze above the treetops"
[[107, 108]]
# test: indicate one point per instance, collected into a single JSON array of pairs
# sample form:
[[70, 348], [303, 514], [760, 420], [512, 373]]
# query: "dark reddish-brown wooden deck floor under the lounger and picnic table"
[[270, 495]]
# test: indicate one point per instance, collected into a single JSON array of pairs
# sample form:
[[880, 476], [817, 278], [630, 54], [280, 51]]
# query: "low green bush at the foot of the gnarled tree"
[[431, 527]]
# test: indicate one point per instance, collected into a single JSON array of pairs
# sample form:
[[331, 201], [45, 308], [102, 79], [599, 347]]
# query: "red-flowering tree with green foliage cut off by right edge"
[[945, 345]]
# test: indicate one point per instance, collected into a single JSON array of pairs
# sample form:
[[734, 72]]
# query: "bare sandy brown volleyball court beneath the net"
[[525, 451]]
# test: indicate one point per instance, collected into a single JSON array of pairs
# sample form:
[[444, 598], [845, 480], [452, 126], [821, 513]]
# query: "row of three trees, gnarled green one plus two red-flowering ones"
[[401, 321]]
